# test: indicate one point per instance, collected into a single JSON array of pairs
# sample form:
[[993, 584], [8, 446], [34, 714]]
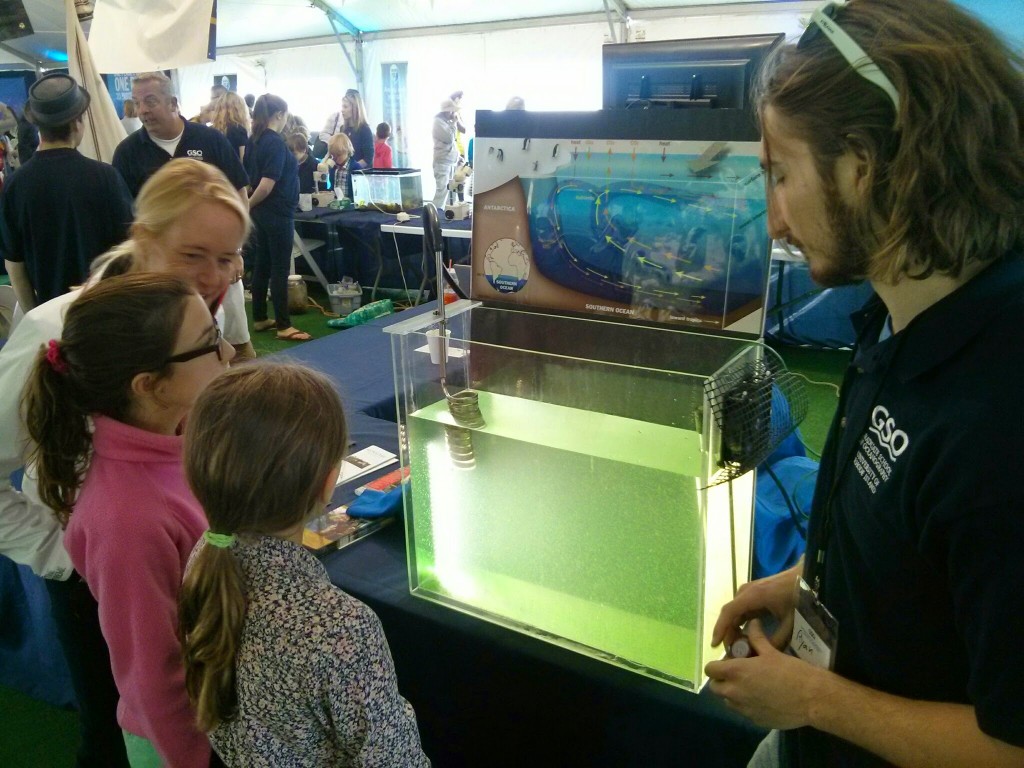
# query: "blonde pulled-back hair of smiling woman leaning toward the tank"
[[164, 200]]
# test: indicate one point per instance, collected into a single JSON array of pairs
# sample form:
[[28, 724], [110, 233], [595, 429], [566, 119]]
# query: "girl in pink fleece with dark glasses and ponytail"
[[105, 406]]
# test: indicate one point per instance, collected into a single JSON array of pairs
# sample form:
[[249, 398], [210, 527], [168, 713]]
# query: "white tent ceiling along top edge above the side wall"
[[253, 24]]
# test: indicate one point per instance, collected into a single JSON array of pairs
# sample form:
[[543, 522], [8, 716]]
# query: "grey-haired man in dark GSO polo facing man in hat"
[[164, 136]]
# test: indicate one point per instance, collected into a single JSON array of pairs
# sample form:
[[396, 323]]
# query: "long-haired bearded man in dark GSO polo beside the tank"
[[893, 147]]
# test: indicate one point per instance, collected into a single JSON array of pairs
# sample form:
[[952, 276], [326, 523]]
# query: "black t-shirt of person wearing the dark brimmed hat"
[[58, 214]]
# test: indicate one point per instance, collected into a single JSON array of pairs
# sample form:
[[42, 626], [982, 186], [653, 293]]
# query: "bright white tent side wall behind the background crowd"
[[551, 67]]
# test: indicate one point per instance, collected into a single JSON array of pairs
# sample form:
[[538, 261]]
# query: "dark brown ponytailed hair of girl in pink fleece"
[[114, 331]]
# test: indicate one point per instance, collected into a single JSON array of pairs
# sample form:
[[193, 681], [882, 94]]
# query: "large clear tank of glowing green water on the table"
[[579, 498]]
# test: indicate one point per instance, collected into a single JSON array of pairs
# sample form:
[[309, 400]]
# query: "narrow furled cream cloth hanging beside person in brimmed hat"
[[103, 126]]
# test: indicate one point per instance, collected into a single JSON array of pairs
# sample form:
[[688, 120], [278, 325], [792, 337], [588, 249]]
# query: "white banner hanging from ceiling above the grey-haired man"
[[135, 36]]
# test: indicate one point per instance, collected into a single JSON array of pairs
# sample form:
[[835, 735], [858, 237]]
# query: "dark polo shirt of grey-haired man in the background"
[[138, 157]]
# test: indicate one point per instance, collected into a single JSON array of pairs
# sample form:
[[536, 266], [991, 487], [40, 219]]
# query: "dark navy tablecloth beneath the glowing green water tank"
[[485, 695]]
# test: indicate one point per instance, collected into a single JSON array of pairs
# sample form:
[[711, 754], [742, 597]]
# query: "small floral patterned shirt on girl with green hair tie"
[[315, 676]]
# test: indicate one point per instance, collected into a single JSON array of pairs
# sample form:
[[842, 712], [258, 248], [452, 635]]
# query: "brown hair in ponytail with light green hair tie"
[[261, 444]]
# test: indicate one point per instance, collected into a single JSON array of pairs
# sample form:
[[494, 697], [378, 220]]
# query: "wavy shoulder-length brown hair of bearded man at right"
[[947, 170]]
